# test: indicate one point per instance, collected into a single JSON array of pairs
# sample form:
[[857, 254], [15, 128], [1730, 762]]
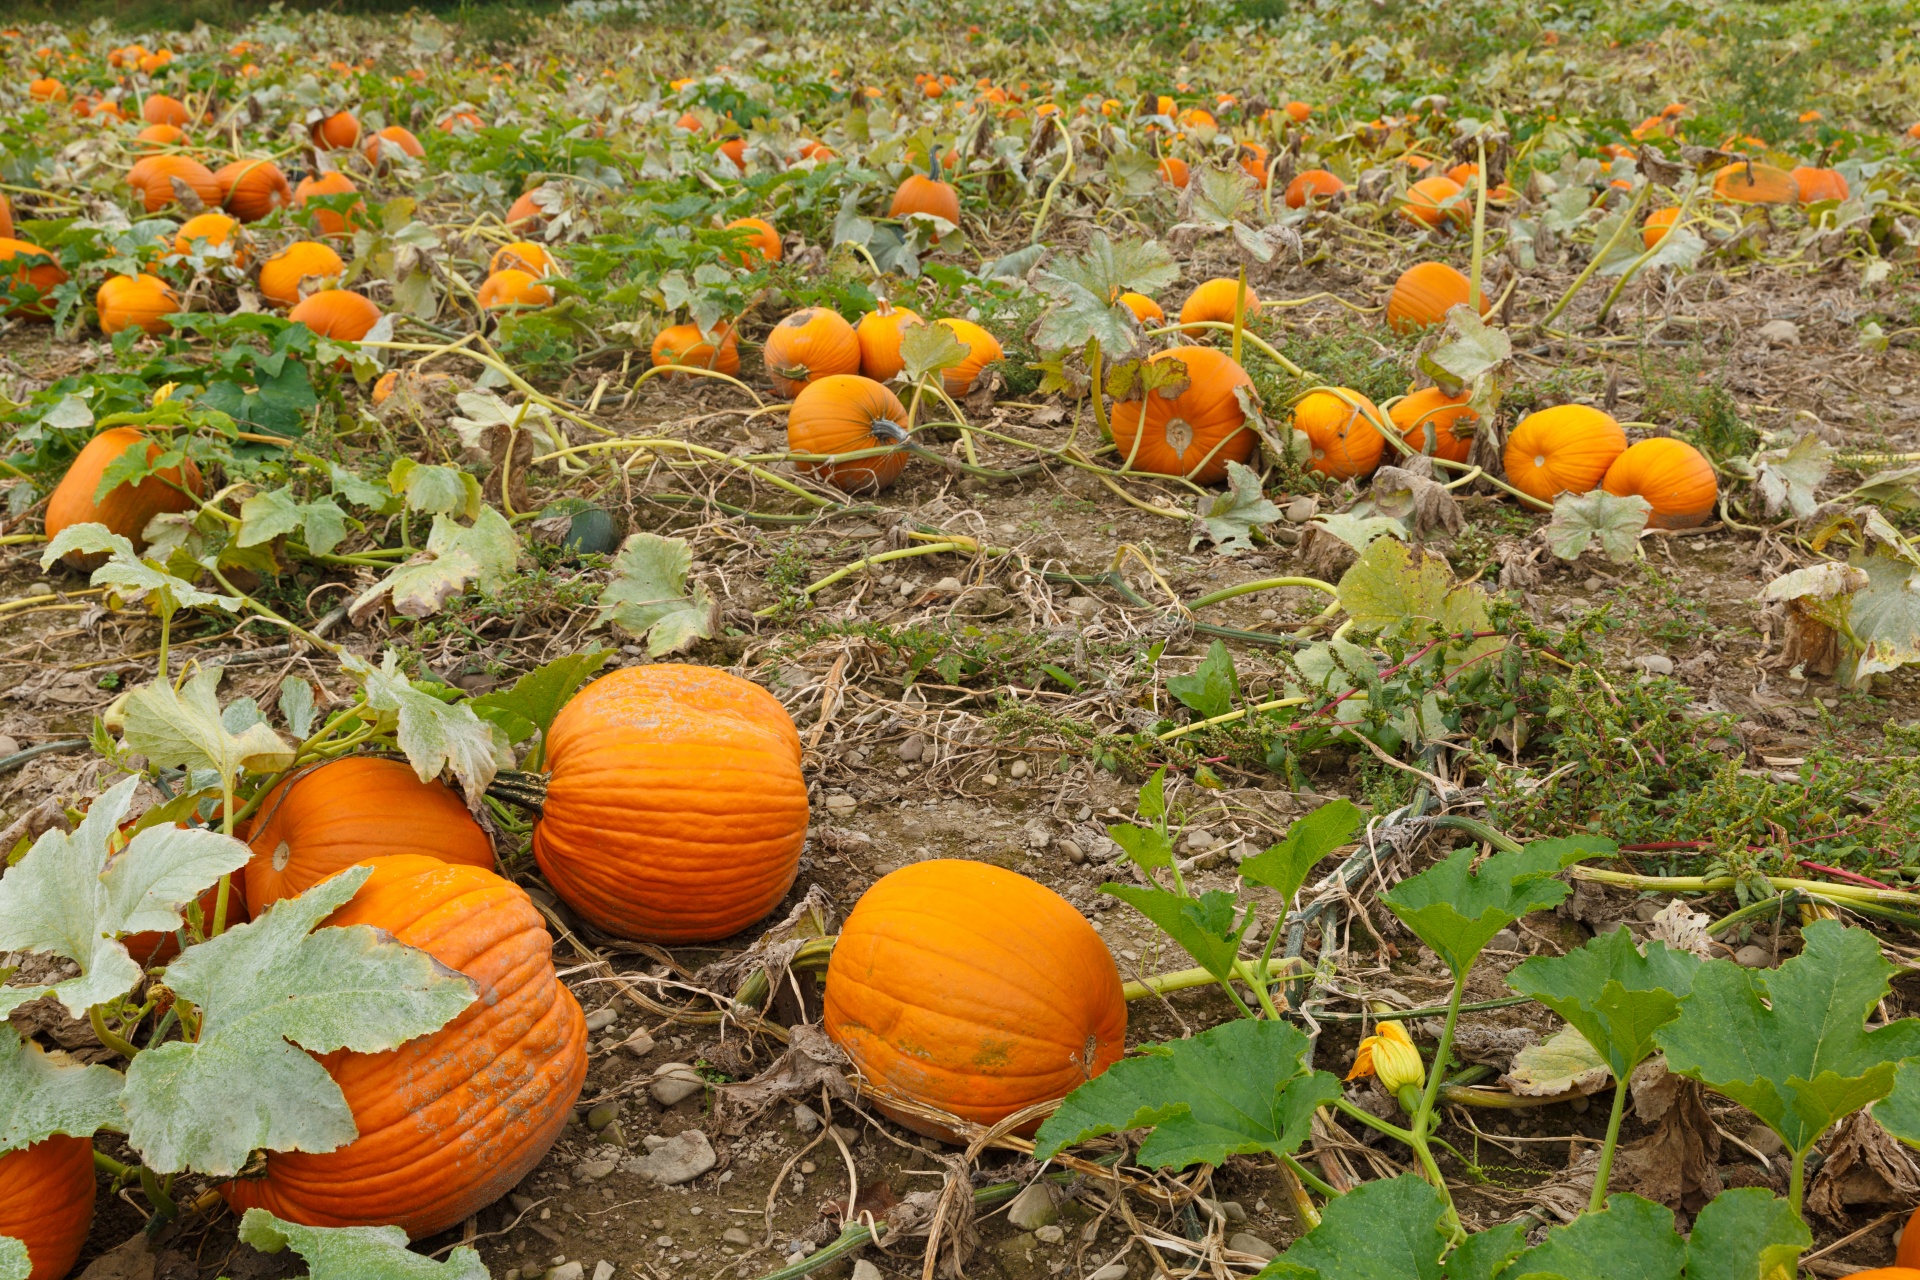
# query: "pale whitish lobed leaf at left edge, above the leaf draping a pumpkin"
[[68, 899]]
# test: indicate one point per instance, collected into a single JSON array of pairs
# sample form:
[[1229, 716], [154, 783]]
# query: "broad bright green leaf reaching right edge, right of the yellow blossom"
[[1792, 1045]]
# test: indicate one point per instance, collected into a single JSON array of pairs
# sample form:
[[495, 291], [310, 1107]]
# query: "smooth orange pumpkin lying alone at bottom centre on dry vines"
[[972, 989]]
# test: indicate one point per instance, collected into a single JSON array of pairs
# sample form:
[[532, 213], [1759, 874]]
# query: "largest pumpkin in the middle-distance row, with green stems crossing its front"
[[1195, 433]]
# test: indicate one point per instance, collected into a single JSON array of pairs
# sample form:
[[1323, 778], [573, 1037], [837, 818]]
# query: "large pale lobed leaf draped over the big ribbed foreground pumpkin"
[[264, 989]]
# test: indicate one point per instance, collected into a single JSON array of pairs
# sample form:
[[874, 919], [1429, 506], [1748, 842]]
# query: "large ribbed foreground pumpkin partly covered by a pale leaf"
[[450, 1122]]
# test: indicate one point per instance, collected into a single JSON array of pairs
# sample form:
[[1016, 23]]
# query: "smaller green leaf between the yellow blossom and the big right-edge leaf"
[[1612, 995]]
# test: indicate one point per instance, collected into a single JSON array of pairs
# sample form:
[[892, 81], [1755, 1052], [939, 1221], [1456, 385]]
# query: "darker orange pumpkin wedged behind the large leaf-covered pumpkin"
[[324, 820]]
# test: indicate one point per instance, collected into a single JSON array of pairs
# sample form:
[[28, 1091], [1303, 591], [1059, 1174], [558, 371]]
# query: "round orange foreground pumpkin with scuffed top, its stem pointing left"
[[677, 809]]
